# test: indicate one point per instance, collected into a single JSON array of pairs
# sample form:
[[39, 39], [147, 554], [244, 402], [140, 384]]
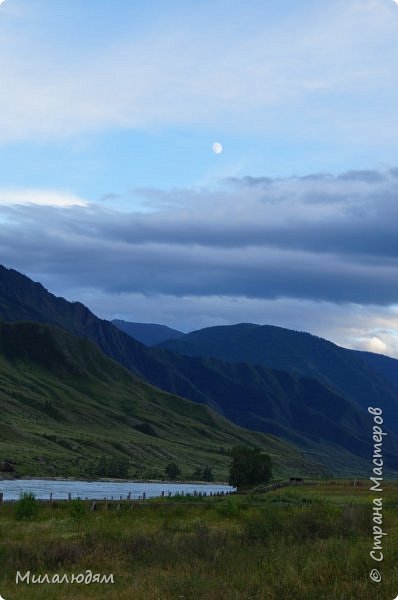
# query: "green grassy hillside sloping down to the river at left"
[[66, 408]]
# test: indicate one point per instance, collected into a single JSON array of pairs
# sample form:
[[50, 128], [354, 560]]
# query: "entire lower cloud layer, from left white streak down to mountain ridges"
[[315, 252]]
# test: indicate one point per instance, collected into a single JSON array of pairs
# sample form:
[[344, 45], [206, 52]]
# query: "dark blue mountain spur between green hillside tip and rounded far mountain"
[[296, 409]]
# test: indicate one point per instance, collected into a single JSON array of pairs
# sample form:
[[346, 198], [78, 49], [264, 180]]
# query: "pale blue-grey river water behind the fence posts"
[[98, 490]]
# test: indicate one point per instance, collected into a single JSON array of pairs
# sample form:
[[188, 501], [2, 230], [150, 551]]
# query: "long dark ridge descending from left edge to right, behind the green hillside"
[[313, 415]]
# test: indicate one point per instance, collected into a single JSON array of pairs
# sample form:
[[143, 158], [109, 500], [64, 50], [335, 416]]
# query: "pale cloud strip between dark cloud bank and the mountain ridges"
[[348, 325]]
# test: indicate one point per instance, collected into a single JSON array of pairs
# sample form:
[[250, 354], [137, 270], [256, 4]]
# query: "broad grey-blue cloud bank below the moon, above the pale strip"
[[331, 240]]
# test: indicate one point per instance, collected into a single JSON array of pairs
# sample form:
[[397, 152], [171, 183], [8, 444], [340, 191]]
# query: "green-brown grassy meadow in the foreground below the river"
[[299, 542]]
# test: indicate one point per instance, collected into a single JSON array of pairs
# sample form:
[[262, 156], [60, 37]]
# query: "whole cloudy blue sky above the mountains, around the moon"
[[111, 194]]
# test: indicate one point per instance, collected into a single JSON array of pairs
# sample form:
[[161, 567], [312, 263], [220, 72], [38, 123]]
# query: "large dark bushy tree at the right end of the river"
[[249, 466]]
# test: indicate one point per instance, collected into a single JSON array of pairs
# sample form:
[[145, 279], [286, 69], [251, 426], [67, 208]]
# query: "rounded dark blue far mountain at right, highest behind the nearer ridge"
[[345, 371]]
